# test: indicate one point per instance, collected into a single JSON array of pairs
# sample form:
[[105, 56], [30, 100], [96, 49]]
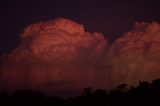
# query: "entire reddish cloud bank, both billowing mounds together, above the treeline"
[[59, 55]]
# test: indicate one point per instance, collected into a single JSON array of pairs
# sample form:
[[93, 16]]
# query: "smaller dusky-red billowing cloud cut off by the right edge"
[[135, 56]]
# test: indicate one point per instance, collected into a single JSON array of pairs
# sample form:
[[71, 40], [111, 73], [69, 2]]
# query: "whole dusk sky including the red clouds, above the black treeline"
[[64, 46]]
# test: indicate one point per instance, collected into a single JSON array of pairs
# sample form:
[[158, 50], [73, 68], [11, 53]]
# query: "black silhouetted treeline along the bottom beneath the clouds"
[[145, 94]]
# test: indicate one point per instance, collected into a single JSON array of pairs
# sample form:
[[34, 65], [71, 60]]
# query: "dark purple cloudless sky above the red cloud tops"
[[112, 18]]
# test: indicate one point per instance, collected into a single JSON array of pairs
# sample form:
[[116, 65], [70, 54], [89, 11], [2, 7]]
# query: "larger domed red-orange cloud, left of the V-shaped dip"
[[54, 52]]
